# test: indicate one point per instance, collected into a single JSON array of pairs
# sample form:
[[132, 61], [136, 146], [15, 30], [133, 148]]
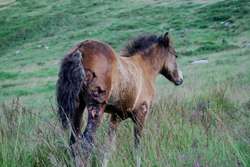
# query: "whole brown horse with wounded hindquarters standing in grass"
[[92, 76]]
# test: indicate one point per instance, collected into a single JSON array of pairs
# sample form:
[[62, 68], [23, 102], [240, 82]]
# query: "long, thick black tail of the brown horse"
[[69, 85]]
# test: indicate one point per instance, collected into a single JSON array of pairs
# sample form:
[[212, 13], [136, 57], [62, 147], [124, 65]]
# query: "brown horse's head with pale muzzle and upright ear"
[[170, 67]]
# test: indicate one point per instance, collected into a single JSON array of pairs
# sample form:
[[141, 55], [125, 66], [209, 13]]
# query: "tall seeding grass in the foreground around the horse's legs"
[[202, 129]]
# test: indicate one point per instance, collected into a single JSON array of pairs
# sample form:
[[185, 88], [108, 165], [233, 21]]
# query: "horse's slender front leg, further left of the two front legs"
[[110, 144]]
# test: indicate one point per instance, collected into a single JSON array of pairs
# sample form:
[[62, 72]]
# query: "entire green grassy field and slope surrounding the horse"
[[204, 121]]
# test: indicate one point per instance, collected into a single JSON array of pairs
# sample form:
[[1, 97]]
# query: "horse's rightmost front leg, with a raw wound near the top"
[[139, 119]]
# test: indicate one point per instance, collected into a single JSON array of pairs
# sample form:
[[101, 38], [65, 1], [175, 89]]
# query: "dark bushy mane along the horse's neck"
[[142, 43]]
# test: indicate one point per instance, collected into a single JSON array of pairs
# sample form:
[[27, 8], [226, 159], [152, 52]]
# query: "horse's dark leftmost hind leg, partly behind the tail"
[[76, 125]]
